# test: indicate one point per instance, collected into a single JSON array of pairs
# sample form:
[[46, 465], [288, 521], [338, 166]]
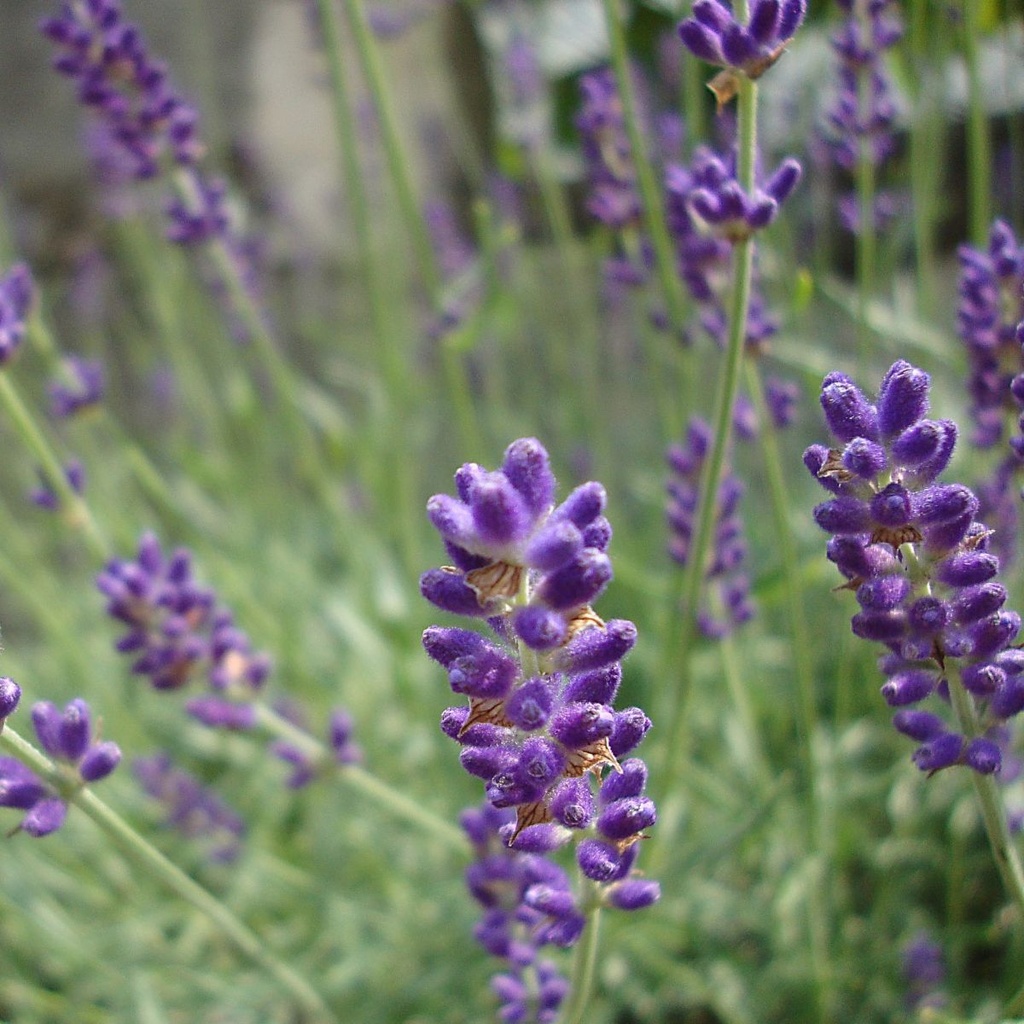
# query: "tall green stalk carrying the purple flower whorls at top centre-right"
[[676, 661]]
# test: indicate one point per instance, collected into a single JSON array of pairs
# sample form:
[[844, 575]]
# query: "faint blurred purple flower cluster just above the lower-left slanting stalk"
[[191, 808]]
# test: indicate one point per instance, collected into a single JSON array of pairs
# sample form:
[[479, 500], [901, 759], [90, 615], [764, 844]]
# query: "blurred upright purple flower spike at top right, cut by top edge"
[[860, 122]]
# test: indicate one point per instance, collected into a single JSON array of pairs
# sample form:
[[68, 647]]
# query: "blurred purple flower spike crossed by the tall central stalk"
[[730, 602]]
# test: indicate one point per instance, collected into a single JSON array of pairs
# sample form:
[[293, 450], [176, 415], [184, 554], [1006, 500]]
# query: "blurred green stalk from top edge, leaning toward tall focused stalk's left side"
[[651, 193]]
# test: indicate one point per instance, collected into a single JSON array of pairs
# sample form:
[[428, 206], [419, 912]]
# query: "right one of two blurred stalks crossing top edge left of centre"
[[399, 162]]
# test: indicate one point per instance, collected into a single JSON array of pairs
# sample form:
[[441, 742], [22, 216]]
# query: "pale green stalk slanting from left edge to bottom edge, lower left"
[[173, 877]]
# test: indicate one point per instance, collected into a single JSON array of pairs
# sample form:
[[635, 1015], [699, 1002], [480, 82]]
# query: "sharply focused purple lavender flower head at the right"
[[913, 551]]
